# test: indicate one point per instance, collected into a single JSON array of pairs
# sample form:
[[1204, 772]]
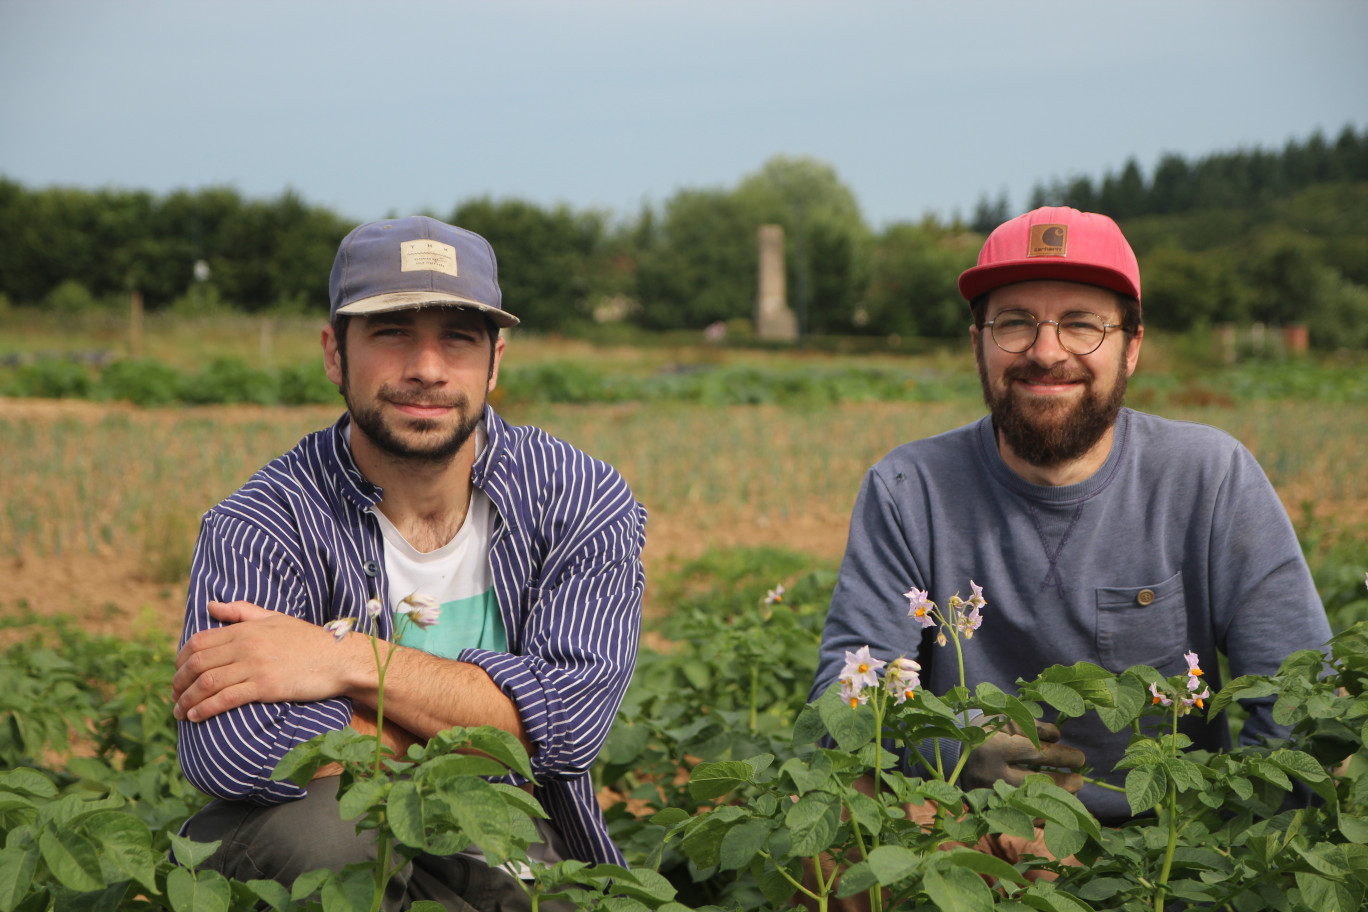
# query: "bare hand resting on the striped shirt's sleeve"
[[261, 657]]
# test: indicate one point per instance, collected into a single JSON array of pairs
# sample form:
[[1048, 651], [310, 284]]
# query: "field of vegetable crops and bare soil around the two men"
[[749, 463]]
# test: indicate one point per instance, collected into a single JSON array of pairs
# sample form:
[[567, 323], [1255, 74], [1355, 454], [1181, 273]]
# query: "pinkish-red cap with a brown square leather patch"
[[1055, 243]]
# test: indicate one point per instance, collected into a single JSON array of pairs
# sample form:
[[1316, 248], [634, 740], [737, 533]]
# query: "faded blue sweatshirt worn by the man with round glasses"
[[1177, 544]]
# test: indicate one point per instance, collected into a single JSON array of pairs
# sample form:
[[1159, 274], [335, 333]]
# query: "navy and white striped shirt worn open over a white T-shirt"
[[567, 560]]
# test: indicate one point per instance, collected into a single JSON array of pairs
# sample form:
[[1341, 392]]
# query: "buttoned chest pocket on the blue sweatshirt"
[[1142, 626]]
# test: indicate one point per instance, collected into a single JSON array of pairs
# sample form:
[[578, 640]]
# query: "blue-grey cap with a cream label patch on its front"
[[397, 265]]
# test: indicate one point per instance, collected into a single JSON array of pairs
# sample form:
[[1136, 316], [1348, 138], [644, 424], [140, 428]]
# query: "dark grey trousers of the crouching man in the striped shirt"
[[282, 842]]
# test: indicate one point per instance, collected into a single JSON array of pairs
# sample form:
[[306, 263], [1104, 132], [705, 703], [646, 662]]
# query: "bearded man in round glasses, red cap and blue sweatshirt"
[[1095, 534]]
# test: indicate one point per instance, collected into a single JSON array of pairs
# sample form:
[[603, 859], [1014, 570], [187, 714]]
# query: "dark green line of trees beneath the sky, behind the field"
[[1251, 236]]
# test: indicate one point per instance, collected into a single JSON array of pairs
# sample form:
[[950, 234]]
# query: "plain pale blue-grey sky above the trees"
[[378, 109]]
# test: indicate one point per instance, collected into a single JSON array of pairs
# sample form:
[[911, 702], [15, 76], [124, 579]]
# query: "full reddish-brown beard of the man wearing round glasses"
[[1047, 434]]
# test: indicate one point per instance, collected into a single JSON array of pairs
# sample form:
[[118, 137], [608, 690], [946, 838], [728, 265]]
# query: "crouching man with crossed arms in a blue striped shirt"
[[533, 549]]
